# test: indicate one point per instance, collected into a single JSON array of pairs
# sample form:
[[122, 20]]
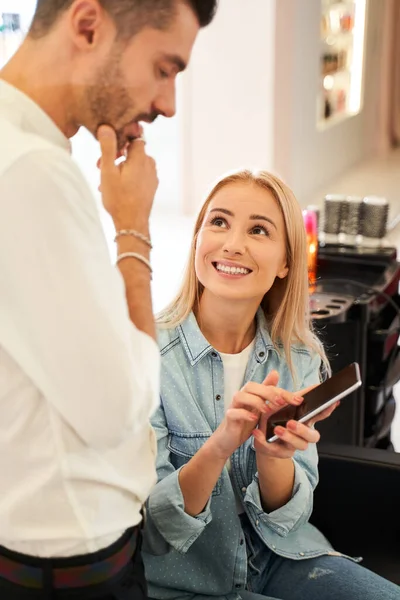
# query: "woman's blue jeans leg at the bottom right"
[[322, 578]]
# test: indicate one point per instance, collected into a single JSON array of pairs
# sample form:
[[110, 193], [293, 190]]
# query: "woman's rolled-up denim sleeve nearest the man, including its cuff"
[[167, 523]]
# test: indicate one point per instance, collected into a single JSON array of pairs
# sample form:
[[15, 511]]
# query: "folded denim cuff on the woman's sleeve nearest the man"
[[167, 513]]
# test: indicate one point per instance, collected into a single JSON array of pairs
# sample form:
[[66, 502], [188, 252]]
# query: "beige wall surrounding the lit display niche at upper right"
[[306, 157]]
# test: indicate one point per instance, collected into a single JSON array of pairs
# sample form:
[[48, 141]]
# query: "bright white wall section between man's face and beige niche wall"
[[227, 97]]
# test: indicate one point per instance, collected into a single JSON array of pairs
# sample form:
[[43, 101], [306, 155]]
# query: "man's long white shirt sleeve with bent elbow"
[[63, 311]]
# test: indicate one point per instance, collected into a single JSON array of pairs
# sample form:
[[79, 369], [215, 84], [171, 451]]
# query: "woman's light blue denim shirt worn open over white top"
[[208, 554]]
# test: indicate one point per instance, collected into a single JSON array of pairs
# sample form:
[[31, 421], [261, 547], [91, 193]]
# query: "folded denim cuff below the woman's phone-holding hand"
[[293, 514]]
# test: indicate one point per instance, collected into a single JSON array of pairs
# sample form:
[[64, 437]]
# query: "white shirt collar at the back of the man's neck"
[[29, 116]]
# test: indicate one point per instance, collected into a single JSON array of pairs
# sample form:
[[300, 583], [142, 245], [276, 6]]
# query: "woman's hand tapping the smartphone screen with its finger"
[[252, 403]]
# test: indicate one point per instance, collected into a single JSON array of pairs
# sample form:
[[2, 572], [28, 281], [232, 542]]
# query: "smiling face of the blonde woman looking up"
[[241, 243]]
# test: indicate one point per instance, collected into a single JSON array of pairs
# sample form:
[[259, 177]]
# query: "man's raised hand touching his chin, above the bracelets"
[[128, 189]]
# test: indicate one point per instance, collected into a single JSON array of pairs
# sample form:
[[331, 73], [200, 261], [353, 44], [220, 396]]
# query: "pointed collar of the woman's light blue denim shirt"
[[197, 347]]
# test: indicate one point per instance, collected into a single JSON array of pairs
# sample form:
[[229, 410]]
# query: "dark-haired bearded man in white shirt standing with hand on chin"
[[78, 378]]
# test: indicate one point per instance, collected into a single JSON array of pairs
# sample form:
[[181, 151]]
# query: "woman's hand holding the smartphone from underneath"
[[296, 436]]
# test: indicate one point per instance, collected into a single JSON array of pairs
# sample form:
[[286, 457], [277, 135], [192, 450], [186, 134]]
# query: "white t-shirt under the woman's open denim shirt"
[[234, 371]]
